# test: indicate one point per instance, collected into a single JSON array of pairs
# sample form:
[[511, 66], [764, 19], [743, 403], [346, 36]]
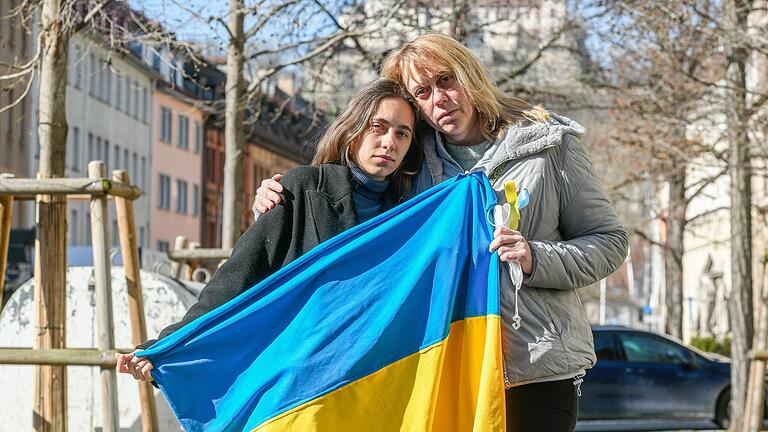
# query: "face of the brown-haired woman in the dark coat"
[[382, 148]]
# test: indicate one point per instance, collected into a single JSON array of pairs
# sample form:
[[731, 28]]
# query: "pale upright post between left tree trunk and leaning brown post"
[[102, 279]]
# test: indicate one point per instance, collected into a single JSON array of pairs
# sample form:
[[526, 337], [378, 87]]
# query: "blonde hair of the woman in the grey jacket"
[[431, 51]]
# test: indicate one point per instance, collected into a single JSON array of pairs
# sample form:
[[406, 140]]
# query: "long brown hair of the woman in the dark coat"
[[343, 135]]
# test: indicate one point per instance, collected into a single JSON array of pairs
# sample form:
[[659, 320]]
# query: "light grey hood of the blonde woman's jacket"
[[533, 137]]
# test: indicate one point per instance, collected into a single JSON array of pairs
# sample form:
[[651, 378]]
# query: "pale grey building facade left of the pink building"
[[109, 113]]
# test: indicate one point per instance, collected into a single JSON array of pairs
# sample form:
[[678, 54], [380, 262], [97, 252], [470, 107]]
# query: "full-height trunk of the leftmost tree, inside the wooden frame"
[[50, 405]]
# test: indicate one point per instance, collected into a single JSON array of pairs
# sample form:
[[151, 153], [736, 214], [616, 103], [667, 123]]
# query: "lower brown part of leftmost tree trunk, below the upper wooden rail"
[[50, 382]]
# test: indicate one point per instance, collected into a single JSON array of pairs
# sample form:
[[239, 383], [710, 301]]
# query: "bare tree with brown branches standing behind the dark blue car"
[[653, 51]]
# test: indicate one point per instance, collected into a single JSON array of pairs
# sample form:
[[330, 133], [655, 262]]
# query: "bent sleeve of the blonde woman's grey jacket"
[[594, 241]]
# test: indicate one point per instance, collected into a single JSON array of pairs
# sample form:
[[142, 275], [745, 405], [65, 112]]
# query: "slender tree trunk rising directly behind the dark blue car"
[[673, 253]]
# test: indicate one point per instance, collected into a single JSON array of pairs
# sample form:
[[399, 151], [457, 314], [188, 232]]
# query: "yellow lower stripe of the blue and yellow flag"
[[454, 385]]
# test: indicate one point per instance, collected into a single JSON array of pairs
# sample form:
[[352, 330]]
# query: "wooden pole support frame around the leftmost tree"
[[50, 355]]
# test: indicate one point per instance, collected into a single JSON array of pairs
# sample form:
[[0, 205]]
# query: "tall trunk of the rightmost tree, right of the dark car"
[[740, 303]]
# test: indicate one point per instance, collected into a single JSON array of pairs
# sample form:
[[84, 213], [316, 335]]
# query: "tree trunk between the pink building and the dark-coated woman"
[[233, 130]]
